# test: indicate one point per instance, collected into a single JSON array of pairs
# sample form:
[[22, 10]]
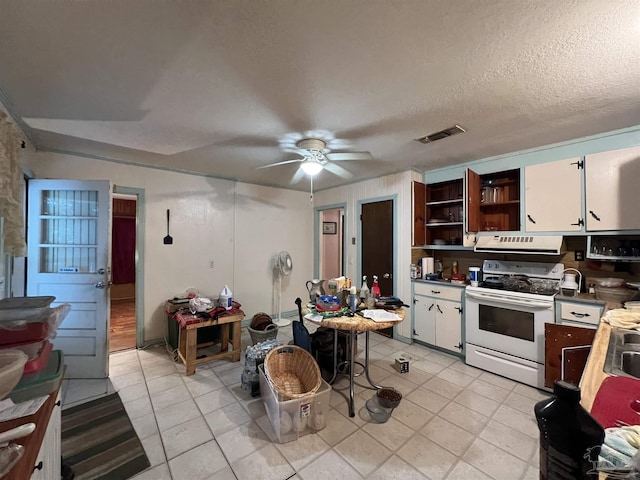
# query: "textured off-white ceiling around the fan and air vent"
[[216, 86]]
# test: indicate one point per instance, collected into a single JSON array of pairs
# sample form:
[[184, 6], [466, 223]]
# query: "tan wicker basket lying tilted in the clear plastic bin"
[[292, 372]]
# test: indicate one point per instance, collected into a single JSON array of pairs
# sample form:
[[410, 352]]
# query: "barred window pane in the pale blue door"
[[68, 225]]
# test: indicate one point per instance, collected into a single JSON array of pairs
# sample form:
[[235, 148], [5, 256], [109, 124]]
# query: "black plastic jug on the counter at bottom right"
[[570, 438]]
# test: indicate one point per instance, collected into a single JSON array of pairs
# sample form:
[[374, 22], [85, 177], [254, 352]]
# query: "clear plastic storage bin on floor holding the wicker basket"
[[292, 419]]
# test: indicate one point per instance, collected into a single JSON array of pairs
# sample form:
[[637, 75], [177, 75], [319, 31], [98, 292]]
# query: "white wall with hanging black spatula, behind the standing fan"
[[238, 226]]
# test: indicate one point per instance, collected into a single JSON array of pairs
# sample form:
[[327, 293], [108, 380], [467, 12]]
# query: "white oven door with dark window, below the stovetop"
[[508, 324]]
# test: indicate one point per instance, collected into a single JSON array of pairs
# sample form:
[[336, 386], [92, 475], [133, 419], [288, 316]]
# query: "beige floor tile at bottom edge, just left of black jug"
[[493, 461]]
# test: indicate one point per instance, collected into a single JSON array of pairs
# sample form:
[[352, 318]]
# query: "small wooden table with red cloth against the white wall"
[[230, 321]]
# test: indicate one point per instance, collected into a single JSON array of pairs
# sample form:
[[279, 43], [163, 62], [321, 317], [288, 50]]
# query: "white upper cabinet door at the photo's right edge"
[[612, 190]]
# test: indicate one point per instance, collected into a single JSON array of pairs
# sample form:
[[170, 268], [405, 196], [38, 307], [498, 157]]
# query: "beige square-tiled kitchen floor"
[[454, 422]]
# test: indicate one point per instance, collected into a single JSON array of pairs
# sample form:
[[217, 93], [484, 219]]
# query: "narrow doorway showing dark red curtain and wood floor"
[[122, 320]]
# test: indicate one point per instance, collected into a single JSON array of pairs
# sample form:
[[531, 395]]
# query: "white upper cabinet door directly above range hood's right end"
[[552, 196]]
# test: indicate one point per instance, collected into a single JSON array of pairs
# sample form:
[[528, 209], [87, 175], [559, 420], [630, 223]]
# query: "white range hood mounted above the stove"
[[516, 243]]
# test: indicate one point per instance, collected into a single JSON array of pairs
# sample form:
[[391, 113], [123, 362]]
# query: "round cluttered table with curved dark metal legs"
[[353, 325]]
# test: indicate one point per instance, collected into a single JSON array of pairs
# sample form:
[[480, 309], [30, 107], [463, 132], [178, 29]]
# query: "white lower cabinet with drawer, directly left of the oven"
[[438, 316]]
